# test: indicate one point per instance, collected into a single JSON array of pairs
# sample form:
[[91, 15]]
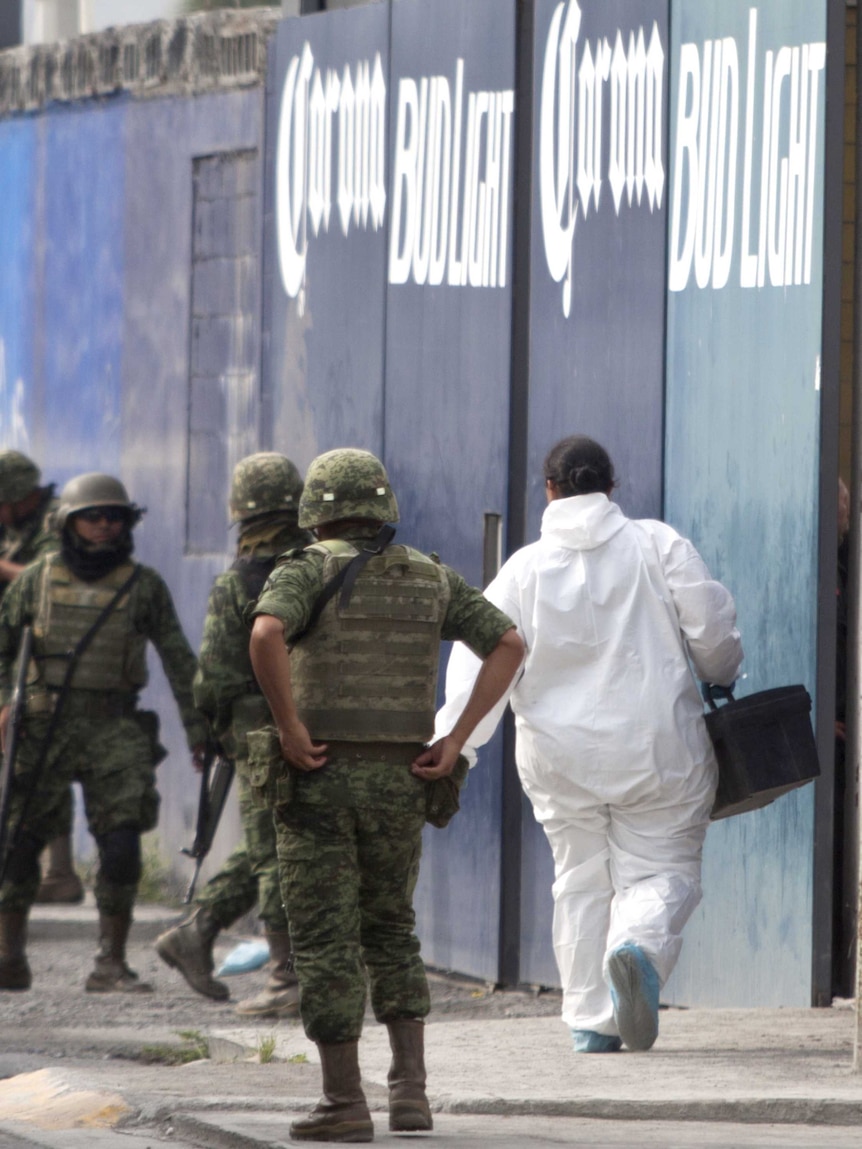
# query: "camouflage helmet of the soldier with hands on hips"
[[347, 483]]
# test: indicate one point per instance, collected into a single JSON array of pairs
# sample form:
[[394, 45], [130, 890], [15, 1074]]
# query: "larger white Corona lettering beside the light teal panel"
[[581, 86]]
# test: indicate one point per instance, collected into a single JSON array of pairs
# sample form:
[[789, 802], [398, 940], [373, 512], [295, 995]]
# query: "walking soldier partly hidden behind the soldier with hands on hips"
[[264, 502]]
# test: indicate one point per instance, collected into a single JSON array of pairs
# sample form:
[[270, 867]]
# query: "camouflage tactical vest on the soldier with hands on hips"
[[368, 673]]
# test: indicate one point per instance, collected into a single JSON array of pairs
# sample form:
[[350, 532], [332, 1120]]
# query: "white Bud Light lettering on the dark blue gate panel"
[[451, 223]]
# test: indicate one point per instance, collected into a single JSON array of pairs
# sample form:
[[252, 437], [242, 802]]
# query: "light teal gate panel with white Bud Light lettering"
[[743, 433]]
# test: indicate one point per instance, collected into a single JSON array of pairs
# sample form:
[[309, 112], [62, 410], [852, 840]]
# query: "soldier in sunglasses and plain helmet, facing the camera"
[[82, 721]]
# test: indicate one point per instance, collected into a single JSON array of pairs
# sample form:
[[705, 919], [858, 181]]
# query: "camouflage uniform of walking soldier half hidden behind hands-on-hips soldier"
[[227, 692]]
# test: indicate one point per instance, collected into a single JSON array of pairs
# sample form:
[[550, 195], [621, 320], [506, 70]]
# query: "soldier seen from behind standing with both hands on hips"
[[353, 703]]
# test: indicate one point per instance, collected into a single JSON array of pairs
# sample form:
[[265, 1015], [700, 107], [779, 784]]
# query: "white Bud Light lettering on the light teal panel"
[[782, 110]]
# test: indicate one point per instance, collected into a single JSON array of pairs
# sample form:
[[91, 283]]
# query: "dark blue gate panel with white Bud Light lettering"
[[448, 376]]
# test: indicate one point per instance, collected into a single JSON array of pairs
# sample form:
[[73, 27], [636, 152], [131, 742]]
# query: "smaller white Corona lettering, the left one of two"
[[317, 109]]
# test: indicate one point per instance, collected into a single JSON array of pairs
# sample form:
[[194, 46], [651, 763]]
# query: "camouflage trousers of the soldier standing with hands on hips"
[[349, 849]]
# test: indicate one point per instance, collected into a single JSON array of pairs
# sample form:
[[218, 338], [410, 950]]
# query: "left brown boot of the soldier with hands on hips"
[[342, 1114]]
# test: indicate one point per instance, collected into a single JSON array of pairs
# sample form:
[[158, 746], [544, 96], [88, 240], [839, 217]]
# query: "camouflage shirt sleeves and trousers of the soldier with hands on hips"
[[350, 839]]
